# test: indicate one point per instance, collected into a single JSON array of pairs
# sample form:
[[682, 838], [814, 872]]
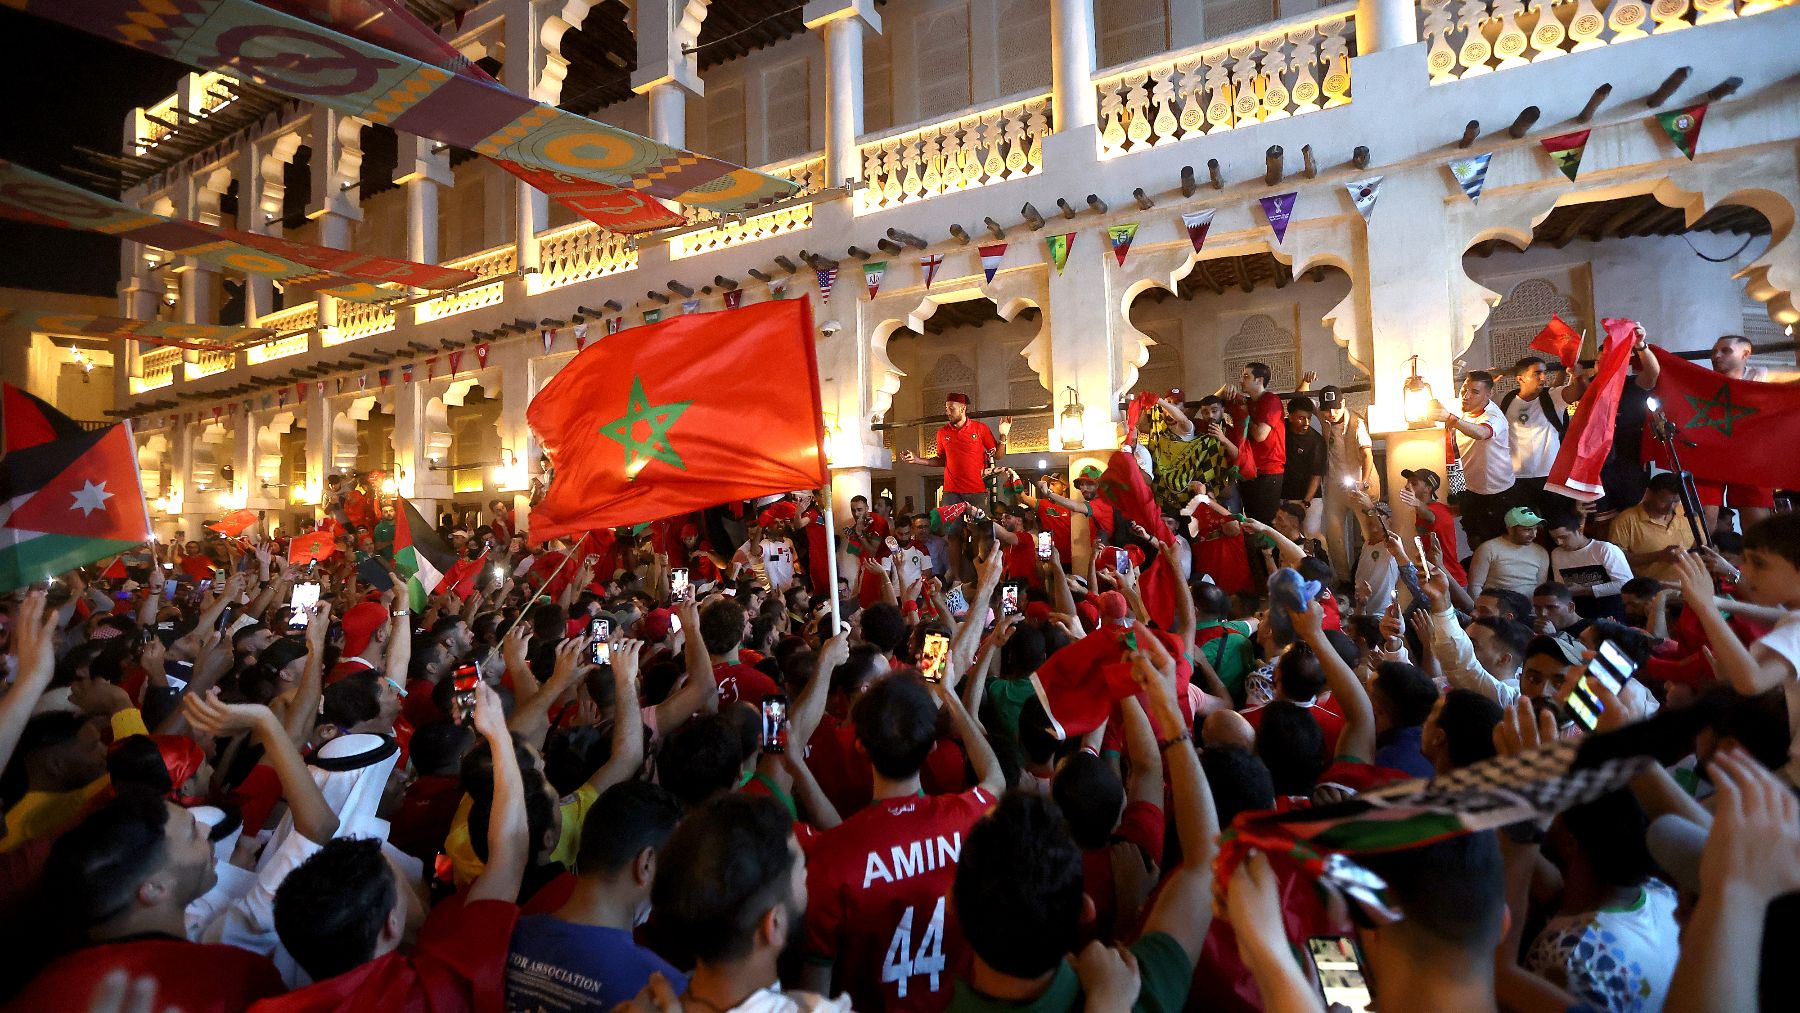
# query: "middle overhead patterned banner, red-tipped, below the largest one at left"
[[300, 269]]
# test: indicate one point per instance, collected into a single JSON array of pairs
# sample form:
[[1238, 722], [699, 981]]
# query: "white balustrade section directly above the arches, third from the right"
[[971, 150]]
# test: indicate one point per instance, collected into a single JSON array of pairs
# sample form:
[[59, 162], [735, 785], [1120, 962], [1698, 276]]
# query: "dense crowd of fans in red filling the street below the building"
[[656, 767]]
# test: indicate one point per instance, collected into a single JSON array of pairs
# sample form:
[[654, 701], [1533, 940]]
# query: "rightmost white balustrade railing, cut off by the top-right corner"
[[1479, 37]]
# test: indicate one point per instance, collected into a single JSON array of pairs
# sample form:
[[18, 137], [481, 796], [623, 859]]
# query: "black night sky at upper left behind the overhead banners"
[[69, 89]]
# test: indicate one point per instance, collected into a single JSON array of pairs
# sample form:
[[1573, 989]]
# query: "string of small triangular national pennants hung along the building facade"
[[1565, 150]]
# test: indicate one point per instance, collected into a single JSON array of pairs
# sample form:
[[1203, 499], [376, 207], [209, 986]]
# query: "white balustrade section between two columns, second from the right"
[[1272, 73]]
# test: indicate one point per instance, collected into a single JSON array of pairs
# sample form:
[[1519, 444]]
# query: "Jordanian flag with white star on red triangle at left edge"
[[67, 503]]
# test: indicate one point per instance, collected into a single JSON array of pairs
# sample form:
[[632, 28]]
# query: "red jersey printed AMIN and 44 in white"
[[877, 901]]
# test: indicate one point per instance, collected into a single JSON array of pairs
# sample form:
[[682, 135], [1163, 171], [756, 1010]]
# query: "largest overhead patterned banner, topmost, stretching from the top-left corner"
[[314, 64]]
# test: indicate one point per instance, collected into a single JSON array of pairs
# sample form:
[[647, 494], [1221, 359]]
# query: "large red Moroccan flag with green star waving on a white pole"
[[678, 417]]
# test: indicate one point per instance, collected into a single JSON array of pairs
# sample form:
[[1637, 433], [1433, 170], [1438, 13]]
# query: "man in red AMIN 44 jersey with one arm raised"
[[877, 884]]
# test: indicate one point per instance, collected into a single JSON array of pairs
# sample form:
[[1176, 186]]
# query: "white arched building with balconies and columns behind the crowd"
[[933, 127]]
